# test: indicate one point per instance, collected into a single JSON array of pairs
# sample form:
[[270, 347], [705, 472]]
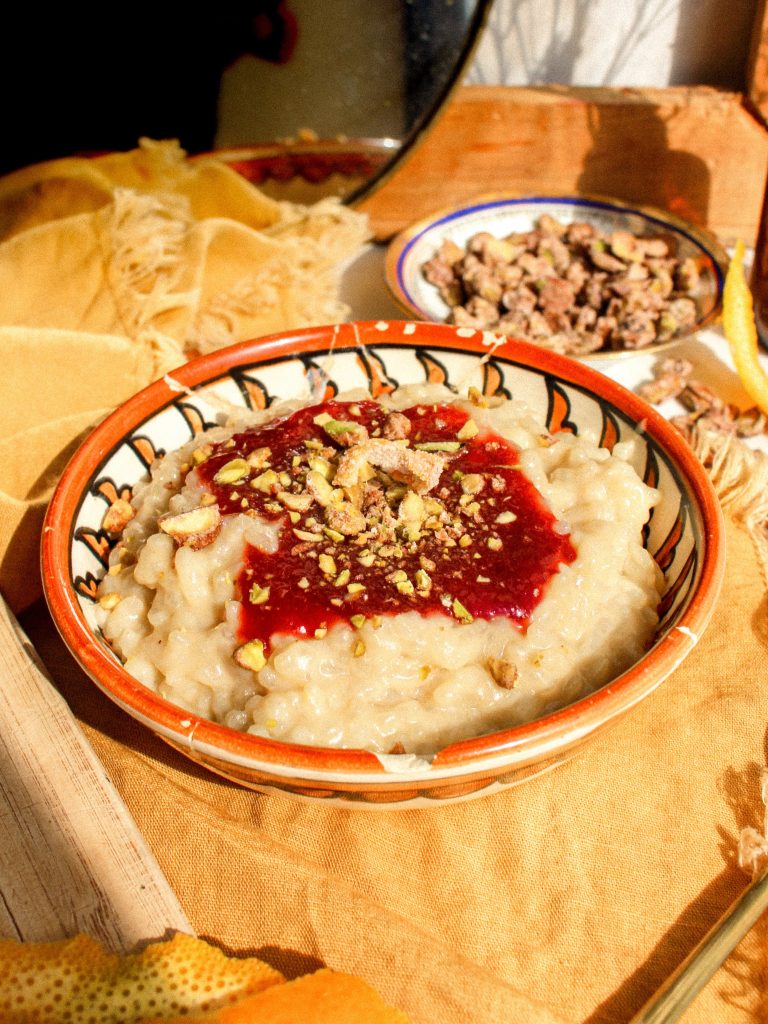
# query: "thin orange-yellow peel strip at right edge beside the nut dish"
[[741, 331]]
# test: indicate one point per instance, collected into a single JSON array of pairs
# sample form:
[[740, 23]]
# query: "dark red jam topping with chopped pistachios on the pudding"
[[382, 513]]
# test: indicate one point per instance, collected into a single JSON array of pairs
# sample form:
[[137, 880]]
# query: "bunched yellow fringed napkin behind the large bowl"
[[117, 270]]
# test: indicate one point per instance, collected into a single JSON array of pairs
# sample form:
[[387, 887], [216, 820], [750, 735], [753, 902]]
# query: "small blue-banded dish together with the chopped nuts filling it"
[[583, 276]]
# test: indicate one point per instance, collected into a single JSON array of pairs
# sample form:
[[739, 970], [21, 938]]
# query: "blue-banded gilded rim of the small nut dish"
[[401, 273]]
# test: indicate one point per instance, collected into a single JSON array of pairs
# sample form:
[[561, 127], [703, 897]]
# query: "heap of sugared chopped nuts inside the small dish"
[[570, 288]]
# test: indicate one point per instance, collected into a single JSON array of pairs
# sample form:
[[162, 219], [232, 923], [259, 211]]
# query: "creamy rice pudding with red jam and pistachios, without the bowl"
[[394, 575]]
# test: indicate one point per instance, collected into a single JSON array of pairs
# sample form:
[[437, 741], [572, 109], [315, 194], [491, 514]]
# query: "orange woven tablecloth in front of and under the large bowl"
[[570, 899]]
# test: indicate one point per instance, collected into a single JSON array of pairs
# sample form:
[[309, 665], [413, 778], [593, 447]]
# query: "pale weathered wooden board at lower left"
[[72, 859]]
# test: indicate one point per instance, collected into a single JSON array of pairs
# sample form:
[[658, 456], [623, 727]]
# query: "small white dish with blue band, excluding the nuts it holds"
[[503, 216]]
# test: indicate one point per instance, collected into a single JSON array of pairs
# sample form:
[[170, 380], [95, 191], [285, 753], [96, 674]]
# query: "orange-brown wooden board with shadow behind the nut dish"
[[697, 152]]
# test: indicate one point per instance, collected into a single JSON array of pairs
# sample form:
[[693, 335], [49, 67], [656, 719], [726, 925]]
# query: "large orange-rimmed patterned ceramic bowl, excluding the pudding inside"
[[685, 535]]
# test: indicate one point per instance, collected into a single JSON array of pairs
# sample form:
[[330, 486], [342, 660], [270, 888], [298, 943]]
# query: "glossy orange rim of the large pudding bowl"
[[524, 745]]
